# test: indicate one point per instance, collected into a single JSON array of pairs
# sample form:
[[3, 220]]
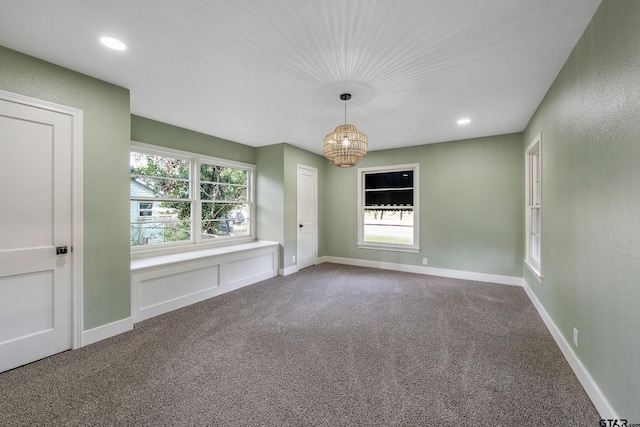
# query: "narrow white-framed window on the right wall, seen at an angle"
[[533, 196]]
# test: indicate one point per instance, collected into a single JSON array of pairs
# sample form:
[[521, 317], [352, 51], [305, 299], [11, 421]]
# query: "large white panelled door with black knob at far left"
[[35, 219]]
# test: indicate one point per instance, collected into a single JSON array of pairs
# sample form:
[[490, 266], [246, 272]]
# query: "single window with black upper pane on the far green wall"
[[388, 201]]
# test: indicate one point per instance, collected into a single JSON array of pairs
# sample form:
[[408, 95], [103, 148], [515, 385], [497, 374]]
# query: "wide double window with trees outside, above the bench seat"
[[180, 198]]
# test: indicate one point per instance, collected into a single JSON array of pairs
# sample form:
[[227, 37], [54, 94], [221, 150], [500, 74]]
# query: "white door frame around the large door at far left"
[[76, 253]]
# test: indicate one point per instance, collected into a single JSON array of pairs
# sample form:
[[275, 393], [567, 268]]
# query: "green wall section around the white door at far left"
[[106, 130]]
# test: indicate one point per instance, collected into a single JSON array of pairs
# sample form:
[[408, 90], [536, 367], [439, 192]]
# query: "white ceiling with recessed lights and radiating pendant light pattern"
[[263, 72]]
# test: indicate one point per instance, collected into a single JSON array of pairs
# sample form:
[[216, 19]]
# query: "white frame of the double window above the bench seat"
[[196, 242]]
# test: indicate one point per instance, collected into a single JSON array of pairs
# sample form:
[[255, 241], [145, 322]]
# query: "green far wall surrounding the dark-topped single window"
[[471, 214]]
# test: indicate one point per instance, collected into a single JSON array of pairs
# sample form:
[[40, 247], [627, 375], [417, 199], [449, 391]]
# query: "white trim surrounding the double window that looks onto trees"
[[196, 159]]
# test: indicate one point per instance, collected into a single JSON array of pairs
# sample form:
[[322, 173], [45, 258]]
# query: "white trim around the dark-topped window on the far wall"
[[415, 248]]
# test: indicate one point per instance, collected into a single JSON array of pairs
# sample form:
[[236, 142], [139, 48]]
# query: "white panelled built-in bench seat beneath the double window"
[[163, 283]]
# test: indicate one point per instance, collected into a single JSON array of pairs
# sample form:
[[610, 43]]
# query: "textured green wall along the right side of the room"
[[590, 126]]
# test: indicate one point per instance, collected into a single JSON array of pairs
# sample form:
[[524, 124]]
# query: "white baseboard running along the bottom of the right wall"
[[590, 387]]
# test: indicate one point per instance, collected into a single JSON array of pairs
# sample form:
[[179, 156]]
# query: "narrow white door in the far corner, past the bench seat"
[[307, 182]]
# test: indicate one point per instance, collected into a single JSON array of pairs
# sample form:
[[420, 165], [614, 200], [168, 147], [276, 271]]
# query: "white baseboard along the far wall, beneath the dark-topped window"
[[432, 271]]
